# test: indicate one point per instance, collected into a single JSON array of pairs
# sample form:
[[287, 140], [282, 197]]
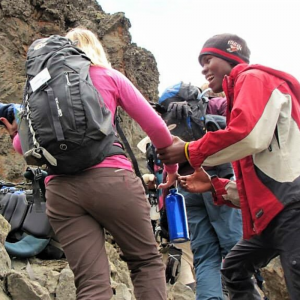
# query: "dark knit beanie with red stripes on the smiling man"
[[229, 47]]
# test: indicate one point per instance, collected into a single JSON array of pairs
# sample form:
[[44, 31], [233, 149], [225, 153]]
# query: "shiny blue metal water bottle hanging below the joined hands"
[[176, 216]]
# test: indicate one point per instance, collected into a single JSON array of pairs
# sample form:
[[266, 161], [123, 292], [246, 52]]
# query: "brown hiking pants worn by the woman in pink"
[[80, 206]]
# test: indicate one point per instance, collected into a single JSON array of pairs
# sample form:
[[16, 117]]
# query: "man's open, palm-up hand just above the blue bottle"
[[198, 182]]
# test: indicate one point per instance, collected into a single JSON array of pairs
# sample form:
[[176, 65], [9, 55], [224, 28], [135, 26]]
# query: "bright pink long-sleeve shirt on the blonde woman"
[[117, 90]]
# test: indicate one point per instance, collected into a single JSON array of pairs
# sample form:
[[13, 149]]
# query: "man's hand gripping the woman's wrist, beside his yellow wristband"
[[174, 153]]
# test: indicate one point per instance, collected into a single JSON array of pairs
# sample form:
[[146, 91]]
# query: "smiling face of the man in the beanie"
[[214, 70]]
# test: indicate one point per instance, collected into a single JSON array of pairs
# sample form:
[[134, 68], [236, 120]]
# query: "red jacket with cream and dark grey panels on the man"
[[262, 140]]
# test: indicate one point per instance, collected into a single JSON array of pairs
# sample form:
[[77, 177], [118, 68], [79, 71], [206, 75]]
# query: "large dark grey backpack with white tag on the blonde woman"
[[63, 121]]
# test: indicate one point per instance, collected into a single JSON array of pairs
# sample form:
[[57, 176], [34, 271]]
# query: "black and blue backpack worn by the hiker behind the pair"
[[183, 108]]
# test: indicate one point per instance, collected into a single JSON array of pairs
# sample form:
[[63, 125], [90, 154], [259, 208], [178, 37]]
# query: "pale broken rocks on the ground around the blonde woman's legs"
[[36, 279]]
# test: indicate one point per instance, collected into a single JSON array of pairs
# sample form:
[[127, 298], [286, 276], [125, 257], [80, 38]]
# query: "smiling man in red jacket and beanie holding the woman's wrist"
[[262, 141]]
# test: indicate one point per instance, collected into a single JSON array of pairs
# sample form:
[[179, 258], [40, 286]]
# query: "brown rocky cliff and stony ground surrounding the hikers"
[[22, 23]]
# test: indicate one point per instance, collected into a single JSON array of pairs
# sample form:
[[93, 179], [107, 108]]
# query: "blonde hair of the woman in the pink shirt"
[[88, 42]]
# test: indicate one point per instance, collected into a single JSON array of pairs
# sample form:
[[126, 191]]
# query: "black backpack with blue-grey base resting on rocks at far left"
[[23, 206]]
